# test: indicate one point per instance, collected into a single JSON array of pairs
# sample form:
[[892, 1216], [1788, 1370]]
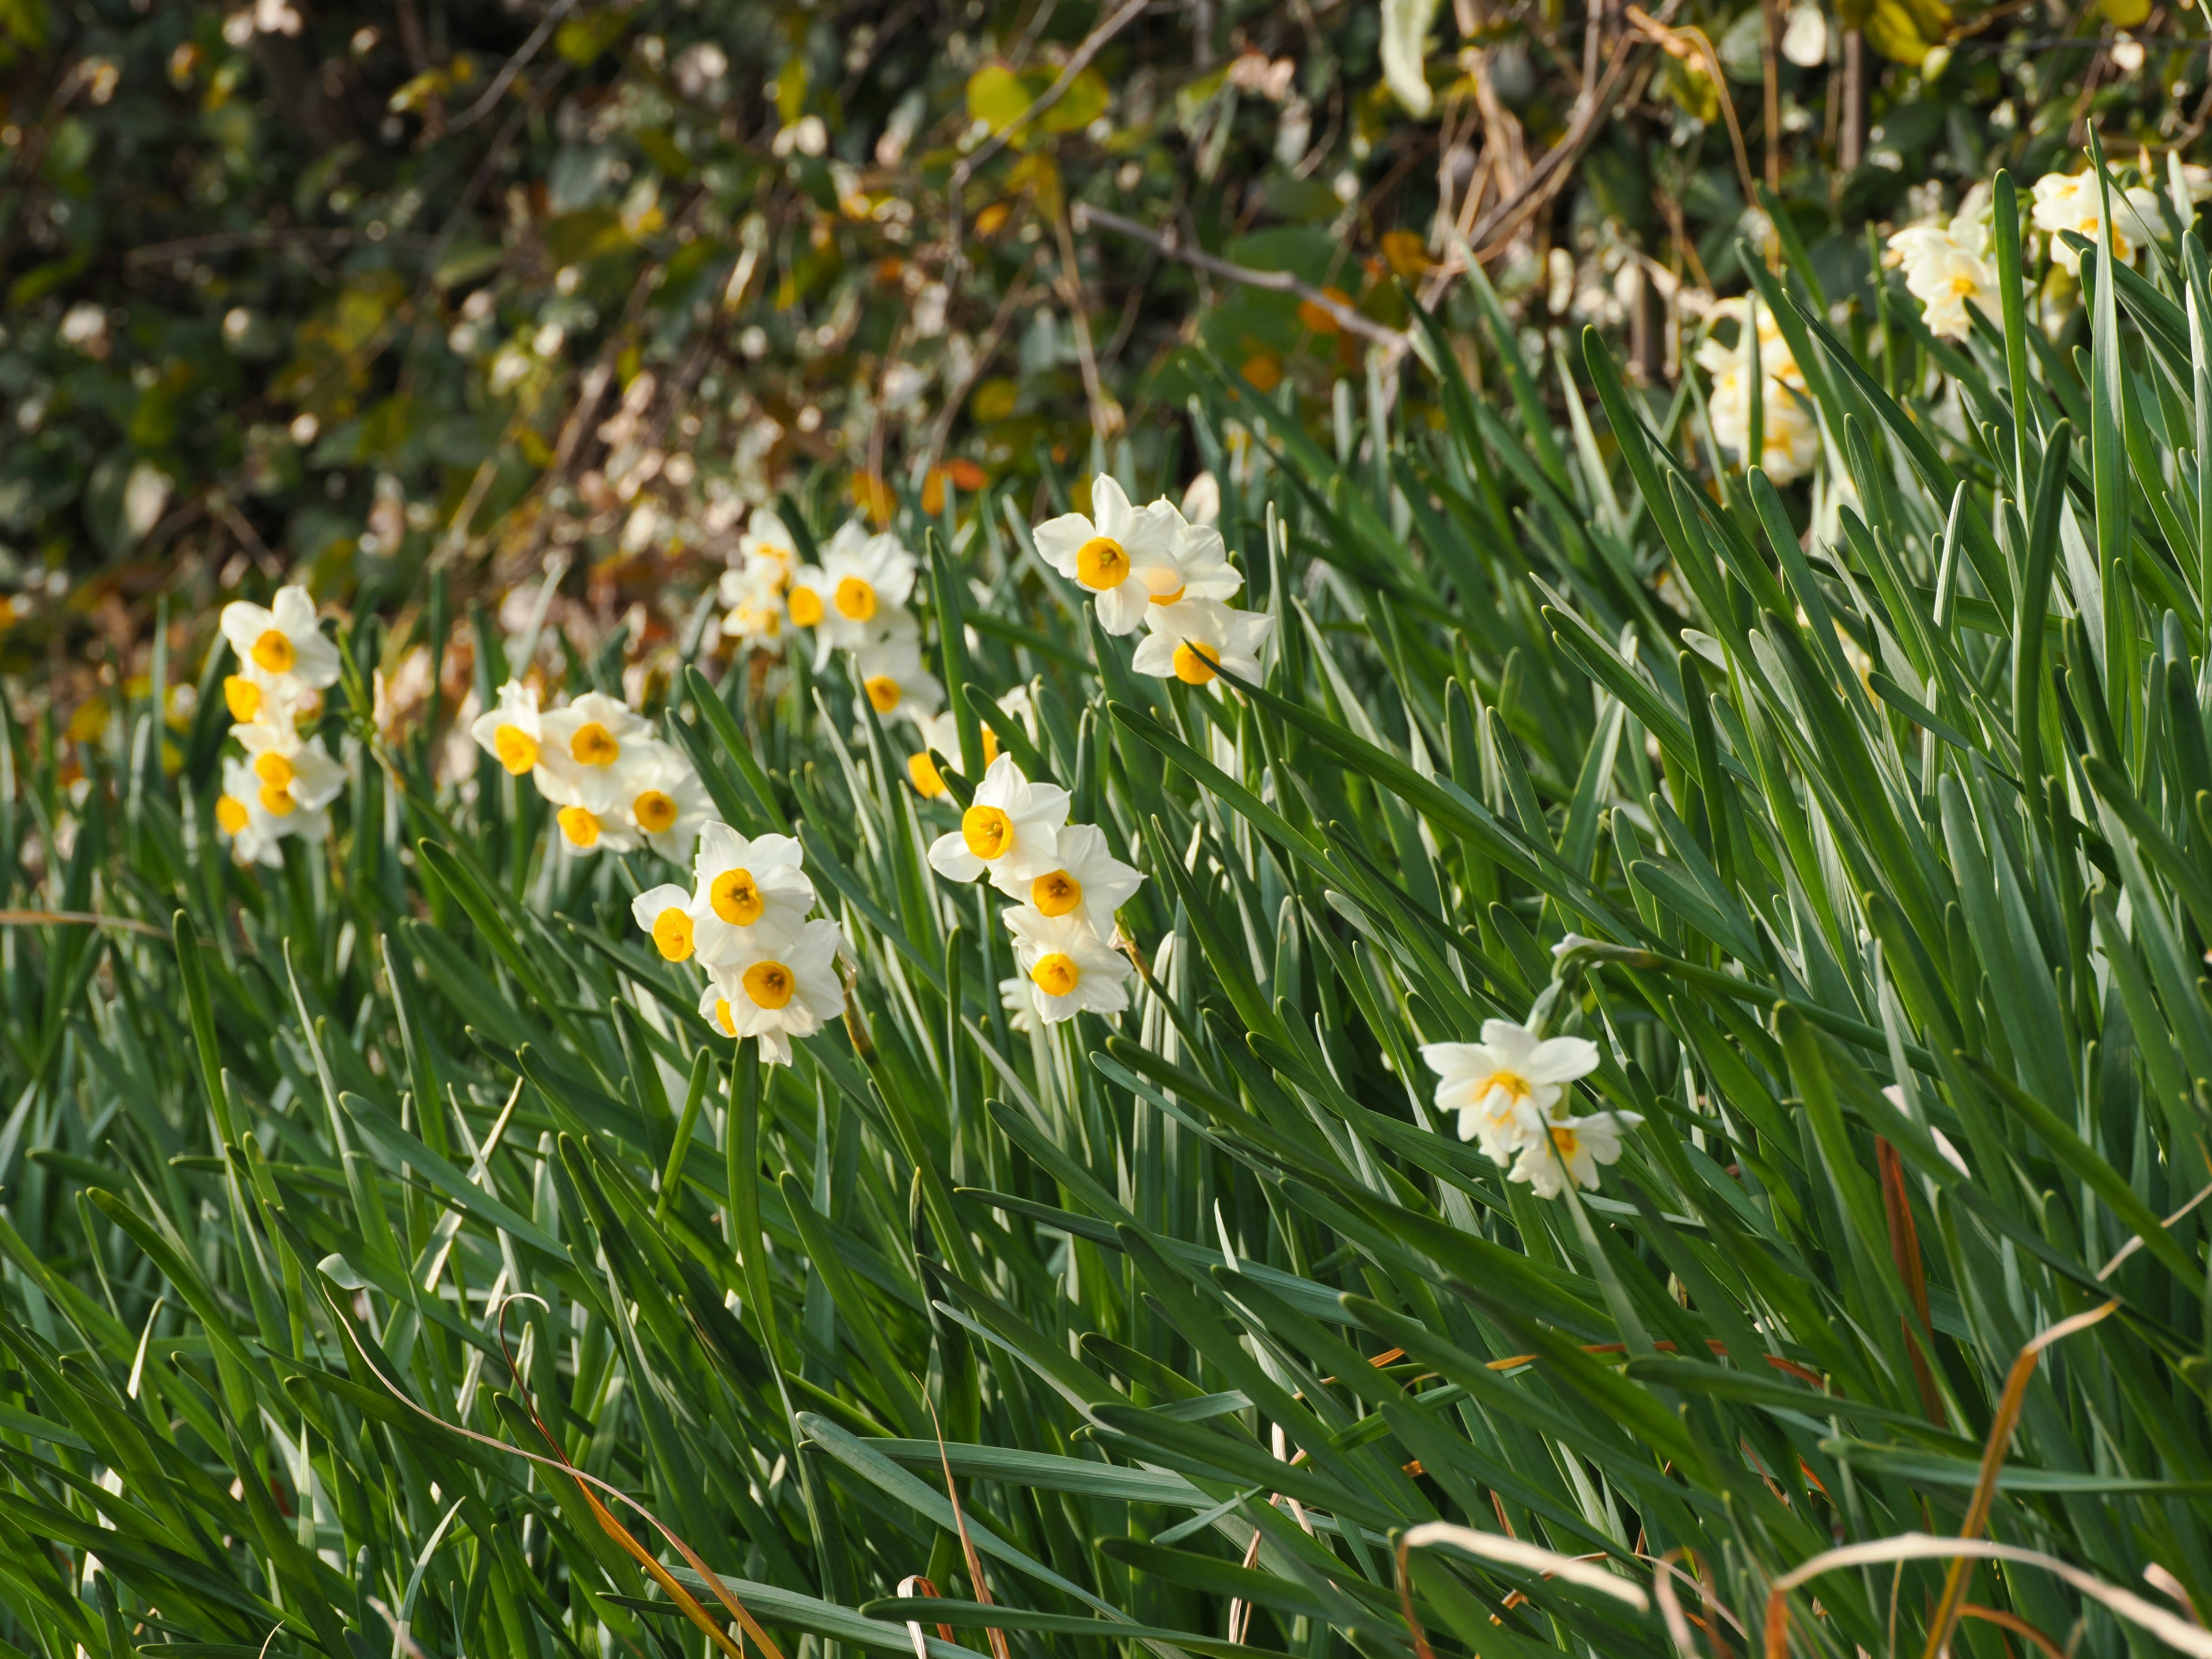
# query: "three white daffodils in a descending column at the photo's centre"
[[1019, 835]]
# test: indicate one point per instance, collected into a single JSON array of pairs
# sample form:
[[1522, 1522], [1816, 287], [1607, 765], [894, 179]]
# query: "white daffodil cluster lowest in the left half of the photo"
[[771, 972]]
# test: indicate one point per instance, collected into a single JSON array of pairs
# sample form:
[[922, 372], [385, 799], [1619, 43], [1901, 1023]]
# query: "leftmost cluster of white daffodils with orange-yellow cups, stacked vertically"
[[284, 780]]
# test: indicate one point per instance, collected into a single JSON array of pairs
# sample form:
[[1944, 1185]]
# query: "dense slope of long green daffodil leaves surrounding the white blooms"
[[1868, 851]]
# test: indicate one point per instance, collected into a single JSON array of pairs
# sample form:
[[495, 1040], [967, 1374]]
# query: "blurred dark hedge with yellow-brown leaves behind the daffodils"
[[344, 291]]
